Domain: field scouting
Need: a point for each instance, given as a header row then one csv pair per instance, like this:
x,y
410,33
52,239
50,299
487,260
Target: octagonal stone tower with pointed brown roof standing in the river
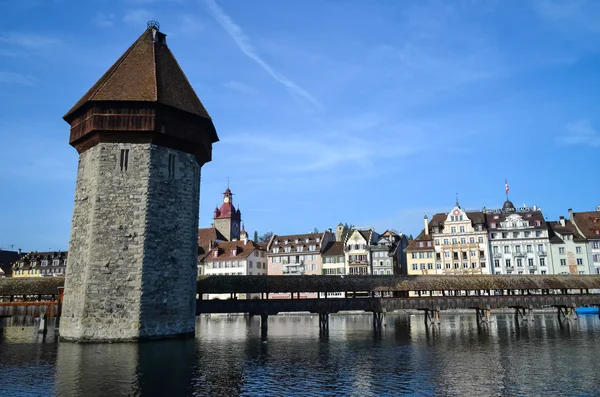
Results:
x,y
142,136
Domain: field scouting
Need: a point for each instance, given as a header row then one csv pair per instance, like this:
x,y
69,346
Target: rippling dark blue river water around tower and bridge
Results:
x,y
228,358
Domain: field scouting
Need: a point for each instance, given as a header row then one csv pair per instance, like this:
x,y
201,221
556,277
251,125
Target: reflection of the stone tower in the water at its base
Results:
x,y
161,368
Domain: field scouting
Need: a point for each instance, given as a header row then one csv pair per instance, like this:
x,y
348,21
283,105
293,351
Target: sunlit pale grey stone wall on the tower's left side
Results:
x,y
104,275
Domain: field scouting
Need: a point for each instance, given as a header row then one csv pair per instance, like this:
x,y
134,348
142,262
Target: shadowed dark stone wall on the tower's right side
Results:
x,y
171,249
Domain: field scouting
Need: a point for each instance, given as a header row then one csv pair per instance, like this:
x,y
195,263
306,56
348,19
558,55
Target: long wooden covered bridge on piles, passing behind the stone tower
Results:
x,y
375,294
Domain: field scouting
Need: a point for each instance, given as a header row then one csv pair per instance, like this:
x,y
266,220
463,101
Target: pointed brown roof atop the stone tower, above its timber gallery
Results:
x,y
146,72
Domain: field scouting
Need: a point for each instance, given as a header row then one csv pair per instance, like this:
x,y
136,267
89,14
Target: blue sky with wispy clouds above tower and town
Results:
x,y
374,113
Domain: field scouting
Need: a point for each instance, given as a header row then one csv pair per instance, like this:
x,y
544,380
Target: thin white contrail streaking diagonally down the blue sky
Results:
x,y
244,43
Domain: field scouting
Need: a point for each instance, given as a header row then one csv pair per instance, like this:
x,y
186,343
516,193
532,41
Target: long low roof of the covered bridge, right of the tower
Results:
x,y
255,284
